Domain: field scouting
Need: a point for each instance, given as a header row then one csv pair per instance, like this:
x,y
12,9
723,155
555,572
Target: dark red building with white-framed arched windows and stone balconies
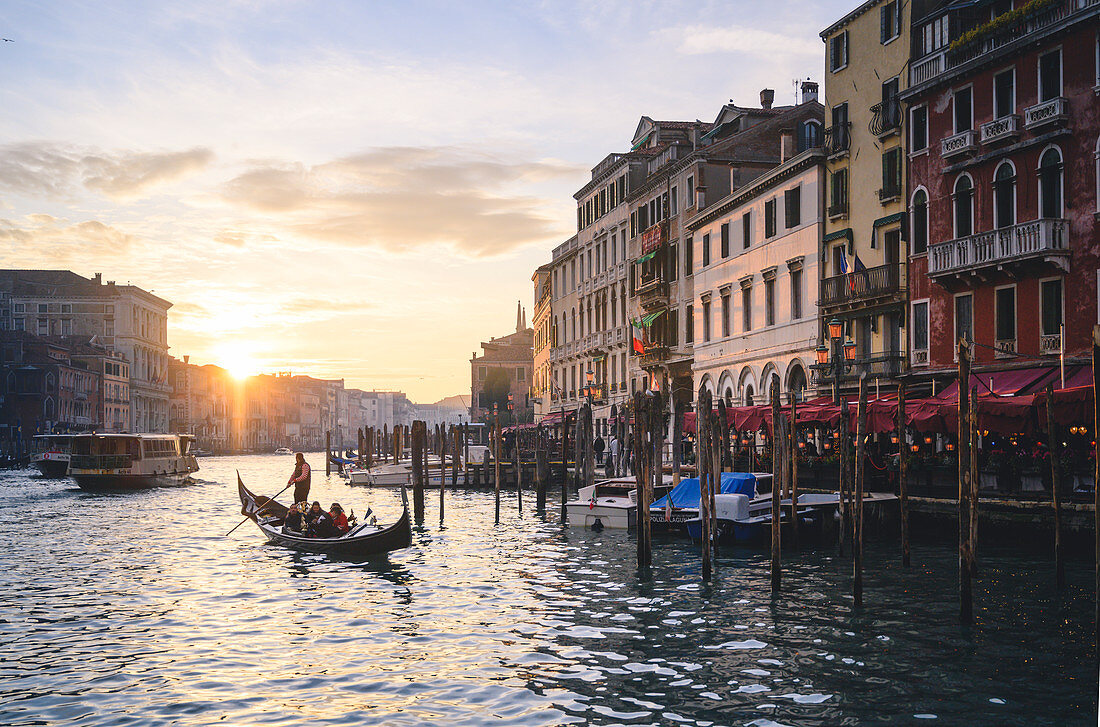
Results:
x,y
1005,183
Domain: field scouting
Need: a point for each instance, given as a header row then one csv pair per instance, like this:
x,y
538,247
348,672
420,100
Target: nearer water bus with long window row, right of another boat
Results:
x,y
131,461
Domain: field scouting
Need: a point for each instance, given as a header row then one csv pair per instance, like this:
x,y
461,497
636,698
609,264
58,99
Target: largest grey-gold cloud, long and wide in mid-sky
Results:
x,y
402,199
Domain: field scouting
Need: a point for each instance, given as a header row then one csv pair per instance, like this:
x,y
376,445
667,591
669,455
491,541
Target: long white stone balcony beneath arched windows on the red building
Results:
x,y
1047,239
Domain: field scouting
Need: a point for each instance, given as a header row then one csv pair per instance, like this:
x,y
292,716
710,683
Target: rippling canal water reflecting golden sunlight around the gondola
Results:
x,y
137,610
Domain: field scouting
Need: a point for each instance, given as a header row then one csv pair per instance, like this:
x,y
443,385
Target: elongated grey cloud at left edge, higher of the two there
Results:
x,y
58,172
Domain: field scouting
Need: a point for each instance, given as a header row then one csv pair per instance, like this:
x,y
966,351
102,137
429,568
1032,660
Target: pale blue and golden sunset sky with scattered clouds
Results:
x,y
355,191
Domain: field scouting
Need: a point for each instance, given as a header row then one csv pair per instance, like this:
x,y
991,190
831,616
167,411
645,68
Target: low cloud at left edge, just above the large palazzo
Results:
x,y
56,237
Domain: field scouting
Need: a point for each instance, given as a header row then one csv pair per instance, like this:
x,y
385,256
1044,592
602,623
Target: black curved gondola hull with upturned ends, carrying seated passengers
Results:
x,y
365,539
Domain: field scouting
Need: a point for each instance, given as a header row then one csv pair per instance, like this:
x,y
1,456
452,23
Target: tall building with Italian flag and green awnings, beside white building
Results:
x,y
691,167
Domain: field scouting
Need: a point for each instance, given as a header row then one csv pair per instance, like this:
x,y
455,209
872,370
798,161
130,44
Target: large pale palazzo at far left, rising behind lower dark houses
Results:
x,y
124,318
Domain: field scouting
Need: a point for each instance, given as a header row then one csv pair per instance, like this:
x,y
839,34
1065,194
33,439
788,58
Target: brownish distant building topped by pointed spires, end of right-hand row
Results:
x,y
503,369
